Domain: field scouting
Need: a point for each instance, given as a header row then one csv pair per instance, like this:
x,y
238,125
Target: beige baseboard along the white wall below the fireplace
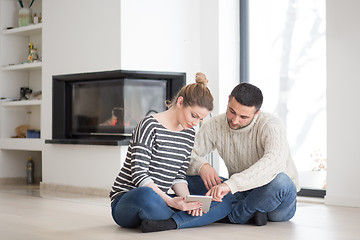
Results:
x,y
50,187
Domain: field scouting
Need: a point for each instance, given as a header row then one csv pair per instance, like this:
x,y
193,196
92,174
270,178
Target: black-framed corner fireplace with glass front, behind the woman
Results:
x,y
104,107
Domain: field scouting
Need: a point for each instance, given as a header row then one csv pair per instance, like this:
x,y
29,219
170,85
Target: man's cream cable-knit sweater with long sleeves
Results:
x,y
253,155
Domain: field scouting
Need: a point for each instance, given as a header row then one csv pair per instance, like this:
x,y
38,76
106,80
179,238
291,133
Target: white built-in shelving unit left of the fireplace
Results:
x,y
15,73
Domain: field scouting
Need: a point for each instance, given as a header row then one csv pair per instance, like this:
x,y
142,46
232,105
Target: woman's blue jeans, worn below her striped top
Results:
x,y
129,209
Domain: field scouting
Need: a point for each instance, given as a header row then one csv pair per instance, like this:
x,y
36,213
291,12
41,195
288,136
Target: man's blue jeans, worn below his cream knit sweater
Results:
x,y
277,199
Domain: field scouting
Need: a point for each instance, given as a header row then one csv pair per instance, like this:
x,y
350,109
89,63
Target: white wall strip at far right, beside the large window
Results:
x,y
343,86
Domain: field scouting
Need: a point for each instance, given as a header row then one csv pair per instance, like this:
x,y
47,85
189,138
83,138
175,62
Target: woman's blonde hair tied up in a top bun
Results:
x,y
195,94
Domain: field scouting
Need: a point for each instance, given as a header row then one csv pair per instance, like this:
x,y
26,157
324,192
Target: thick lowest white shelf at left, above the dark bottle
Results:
x,y
26,144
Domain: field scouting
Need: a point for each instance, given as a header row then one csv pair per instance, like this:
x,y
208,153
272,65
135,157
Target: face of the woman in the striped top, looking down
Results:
x,y
190,116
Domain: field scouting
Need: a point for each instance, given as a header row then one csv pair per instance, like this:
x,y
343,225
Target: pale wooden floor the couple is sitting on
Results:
x,y
26,215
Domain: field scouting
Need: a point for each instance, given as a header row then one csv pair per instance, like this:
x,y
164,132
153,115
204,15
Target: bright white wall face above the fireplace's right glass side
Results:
x,y
160,35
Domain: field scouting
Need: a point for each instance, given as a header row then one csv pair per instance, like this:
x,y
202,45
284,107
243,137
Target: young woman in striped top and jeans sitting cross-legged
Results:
x,y
157,159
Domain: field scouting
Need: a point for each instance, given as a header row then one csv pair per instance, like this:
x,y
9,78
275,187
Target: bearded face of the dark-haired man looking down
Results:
x,y
239,115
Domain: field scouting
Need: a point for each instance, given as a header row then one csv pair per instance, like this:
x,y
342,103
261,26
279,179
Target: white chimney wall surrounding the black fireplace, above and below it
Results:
x,y
93,35
